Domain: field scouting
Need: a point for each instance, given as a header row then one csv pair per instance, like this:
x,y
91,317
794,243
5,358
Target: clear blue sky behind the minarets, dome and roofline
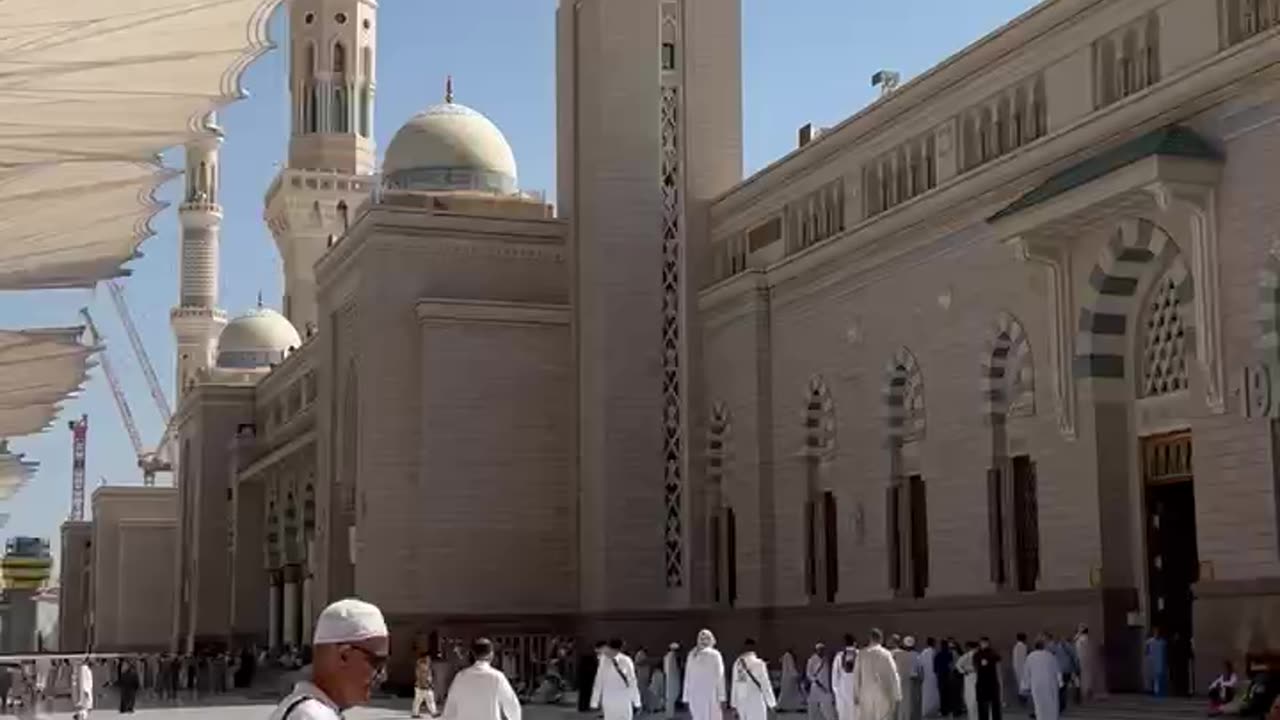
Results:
x,y
804,61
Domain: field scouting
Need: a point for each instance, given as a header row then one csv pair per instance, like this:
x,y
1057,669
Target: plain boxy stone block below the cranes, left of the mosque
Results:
x,y
131,580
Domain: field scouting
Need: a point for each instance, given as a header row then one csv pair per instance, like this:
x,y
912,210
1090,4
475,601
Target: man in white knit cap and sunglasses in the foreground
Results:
x,y
349,657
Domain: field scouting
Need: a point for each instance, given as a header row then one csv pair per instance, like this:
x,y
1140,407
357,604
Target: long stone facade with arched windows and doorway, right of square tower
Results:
x,y
1012,291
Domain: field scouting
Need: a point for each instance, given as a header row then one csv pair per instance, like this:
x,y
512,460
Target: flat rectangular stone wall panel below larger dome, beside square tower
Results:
x,y
493,508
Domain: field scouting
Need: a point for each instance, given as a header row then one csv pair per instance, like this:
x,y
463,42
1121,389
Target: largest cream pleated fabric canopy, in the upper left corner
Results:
x,y
92,92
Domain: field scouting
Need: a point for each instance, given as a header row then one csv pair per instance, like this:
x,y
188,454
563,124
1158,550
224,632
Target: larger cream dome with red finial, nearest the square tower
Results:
x,y
450,148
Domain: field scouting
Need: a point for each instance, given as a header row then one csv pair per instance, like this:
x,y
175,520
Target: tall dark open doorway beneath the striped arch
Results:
x,y
1173,560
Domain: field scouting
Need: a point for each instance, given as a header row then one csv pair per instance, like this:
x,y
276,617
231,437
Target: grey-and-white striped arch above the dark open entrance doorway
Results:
x,y
1137,248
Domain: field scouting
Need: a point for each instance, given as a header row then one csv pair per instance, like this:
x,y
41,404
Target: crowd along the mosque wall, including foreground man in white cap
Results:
x,y
883,678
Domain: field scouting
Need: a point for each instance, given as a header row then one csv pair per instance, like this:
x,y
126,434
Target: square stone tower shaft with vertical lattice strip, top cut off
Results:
x,y
664,76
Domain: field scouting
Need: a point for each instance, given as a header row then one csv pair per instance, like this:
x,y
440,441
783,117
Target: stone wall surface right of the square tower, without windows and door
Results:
x,y
932,276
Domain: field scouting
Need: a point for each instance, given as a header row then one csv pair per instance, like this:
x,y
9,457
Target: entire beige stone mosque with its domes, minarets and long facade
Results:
x,y
995,354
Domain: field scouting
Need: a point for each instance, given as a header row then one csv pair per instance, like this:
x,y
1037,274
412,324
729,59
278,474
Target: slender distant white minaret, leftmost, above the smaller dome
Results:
x,y
198,321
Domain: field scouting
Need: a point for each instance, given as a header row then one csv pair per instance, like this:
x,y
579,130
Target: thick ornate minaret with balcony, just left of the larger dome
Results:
x,y
330,174
